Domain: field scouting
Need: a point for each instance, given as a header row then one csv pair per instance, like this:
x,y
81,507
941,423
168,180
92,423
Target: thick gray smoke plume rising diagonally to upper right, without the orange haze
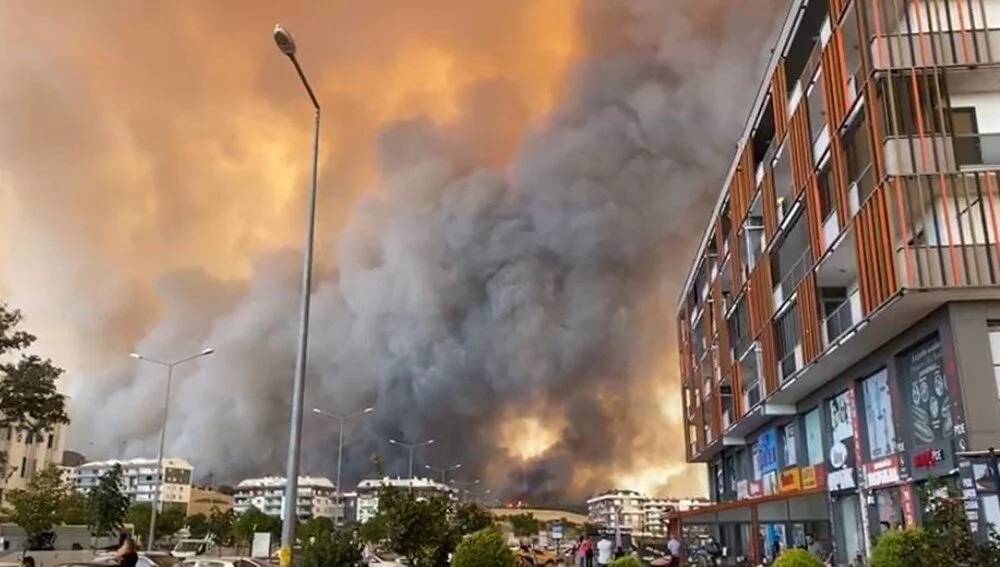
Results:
x,y
466,299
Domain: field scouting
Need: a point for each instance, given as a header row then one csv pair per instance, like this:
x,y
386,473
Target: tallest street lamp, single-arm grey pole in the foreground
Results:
x,y
287,46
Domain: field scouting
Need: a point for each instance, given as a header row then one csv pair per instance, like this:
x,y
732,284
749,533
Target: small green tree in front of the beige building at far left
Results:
x,y
38,508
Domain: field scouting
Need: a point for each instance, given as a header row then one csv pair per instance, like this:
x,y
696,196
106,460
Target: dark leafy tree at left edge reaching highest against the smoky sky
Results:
x,y
29,399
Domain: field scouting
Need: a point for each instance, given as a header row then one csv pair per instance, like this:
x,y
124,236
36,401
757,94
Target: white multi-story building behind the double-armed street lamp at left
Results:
x,y
139,479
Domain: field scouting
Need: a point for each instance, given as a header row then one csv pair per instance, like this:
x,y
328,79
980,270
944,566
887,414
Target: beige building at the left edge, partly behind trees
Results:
x,y
26,454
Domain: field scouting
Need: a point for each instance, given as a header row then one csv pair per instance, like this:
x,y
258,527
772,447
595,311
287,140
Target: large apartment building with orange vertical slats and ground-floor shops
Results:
x,y
840,327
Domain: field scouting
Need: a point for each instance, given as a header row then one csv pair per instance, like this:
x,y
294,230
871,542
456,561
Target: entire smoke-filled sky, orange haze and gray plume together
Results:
x,y
507,291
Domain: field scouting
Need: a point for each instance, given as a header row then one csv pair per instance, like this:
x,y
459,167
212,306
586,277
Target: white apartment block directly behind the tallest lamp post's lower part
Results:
x,y
315,497
